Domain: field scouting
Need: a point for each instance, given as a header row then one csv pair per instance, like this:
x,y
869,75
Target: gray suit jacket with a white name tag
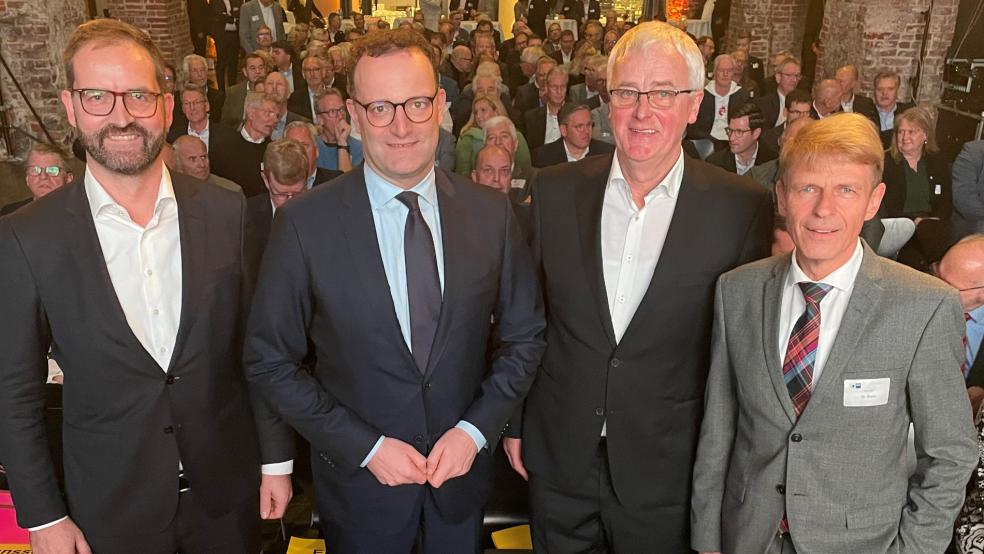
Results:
x,y
839,472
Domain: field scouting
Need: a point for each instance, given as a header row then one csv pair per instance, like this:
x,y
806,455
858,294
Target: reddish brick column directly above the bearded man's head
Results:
x,y
165,20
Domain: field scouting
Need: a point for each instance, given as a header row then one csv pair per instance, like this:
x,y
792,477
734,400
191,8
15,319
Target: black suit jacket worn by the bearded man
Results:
x,y
126,422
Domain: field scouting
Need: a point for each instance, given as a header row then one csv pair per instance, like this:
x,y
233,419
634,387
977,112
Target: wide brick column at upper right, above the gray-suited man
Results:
x,y
879,35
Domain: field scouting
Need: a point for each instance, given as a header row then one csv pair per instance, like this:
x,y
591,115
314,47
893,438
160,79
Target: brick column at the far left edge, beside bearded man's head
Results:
x,y
32,35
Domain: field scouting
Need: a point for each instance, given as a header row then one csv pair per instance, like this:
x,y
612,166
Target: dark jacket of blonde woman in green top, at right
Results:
x,y
940,189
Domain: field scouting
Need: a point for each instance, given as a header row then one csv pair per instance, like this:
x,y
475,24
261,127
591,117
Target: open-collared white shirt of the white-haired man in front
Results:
x,y
631,241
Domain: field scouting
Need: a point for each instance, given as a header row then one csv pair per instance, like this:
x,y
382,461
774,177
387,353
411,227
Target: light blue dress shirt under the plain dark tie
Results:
x,y
389,216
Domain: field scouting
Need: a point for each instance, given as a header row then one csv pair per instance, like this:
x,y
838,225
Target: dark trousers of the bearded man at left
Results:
x,y
191,531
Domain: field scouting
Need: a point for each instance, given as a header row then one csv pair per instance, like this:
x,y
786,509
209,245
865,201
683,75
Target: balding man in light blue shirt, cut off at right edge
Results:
x,y
962,267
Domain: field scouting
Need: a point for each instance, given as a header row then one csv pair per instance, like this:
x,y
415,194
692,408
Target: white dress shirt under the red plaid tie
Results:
x,y
832,306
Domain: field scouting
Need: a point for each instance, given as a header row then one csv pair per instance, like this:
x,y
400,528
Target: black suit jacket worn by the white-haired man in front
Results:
x,y
650,385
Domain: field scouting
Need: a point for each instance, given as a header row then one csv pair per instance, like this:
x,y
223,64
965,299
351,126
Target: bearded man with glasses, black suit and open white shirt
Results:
x,y
154,397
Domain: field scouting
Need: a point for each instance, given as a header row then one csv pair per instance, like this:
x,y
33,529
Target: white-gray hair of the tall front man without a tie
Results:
x,y
655,35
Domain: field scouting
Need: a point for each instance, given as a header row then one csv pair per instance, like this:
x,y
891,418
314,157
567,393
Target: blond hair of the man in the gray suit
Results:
x,y
843,137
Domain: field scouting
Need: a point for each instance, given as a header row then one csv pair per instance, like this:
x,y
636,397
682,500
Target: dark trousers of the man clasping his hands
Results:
x,y
426,533
